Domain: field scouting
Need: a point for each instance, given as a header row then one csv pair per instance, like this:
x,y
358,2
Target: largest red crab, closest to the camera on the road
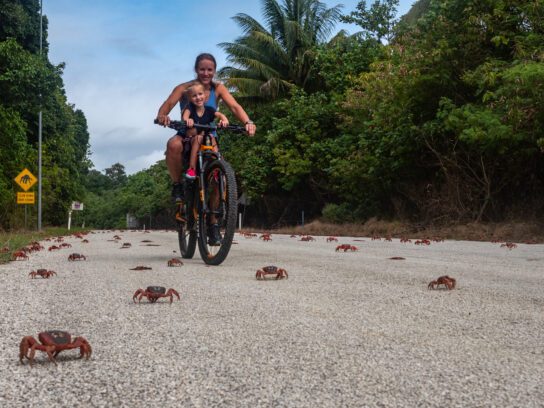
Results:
x,y
52,342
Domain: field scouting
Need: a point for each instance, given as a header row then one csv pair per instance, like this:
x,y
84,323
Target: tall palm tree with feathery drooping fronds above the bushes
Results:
x,y
267,62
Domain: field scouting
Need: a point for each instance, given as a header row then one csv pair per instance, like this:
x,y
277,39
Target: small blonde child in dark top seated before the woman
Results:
x,y
197,113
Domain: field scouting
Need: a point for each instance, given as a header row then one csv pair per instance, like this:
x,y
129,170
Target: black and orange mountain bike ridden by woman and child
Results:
x,y
215,203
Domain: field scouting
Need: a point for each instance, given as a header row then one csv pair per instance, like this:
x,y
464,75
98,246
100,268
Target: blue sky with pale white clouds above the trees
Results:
x,y
124,57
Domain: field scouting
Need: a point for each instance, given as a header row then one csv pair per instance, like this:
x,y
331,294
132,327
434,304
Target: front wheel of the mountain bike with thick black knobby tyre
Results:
x,y
220,195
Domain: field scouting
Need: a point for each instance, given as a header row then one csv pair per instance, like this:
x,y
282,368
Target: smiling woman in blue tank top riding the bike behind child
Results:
x,y
205,68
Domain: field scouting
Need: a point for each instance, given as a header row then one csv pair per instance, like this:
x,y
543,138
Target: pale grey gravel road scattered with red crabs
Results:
x,y
352,329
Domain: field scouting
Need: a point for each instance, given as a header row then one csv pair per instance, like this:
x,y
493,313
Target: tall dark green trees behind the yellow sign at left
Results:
x,y
30,84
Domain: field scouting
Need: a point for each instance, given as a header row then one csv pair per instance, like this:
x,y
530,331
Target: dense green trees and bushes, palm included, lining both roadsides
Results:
x,y
436,117
